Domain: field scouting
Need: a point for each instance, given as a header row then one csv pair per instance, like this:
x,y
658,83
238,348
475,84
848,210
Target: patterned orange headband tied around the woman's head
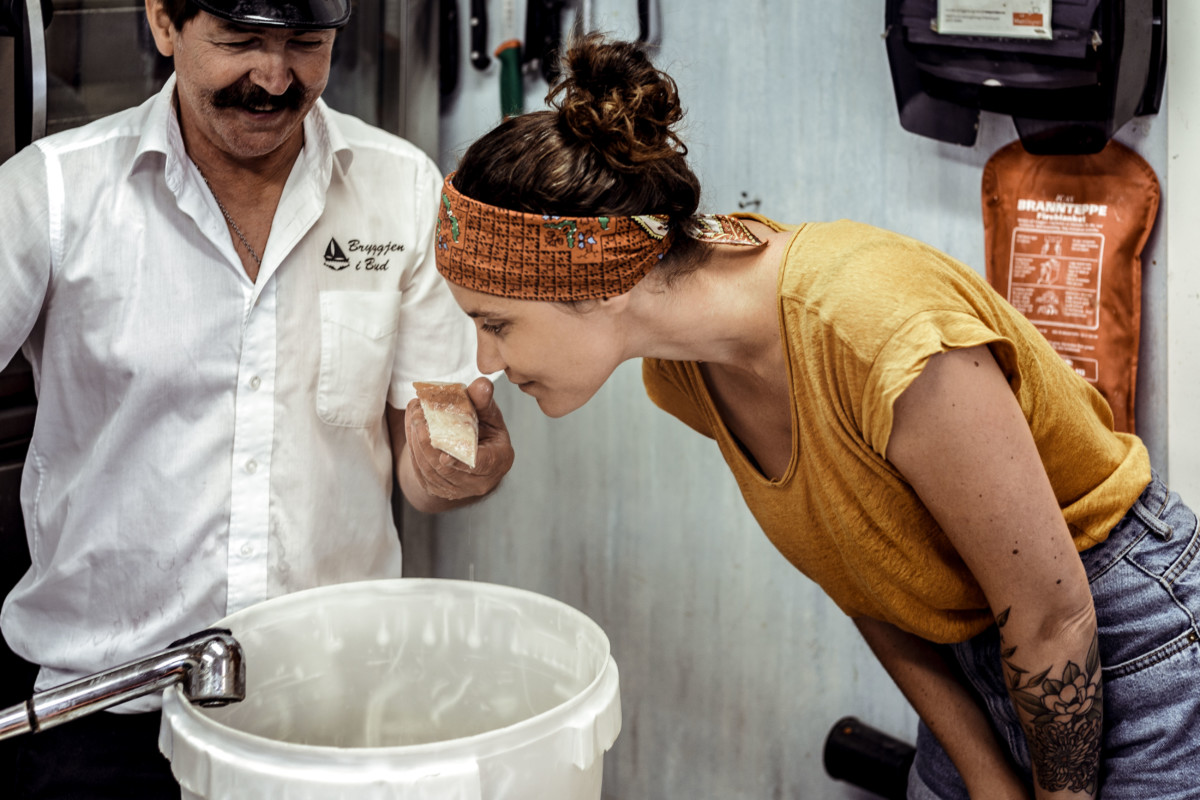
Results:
x,y
544,257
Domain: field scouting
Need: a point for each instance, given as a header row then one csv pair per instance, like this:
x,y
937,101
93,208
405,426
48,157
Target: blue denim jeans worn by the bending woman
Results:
x,y
1145,584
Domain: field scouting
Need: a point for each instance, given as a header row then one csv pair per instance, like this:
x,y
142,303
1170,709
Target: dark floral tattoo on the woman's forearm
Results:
x,y
1063,718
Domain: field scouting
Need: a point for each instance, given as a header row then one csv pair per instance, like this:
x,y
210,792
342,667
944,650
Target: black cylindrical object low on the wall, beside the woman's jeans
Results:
x,y
868,759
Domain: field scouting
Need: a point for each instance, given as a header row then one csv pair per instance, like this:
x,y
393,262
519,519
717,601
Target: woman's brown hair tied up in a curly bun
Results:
x,y
607,147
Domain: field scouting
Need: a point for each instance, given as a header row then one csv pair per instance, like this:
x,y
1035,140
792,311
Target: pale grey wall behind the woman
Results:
x,y
734,666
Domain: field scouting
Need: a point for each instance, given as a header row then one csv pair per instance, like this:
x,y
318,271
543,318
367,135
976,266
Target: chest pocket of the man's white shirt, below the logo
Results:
x,y
358,346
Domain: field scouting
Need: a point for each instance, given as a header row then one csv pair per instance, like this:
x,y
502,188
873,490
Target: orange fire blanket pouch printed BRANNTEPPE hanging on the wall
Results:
x,y
1064,238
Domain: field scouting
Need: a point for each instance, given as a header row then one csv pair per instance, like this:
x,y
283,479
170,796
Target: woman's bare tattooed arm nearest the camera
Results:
x,y
962,442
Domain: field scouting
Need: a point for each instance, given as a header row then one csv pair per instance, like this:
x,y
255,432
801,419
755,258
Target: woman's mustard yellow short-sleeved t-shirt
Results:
x,y
861,311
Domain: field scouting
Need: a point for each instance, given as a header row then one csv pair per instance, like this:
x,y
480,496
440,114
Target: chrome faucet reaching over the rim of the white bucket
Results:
x,y
207,665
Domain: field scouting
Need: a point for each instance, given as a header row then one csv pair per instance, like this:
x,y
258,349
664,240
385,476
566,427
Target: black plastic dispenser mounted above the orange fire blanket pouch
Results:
x,y
1106,65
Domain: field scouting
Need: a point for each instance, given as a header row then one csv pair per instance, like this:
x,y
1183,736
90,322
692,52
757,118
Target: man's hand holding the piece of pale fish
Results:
x,y
436,482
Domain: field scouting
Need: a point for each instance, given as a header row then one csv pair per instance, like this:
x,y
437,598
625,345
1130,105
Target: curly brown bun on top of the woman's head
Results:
x,y
614,99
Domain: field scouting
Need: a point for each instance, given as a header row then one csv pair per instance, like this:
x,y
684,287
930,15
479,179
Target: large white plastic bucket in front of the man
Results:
x,y
405,690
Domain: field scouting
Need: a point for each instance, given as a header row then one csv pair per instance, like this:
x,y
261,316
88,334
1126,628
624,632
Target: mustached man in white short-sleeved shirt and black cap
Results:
x,y
226,294
